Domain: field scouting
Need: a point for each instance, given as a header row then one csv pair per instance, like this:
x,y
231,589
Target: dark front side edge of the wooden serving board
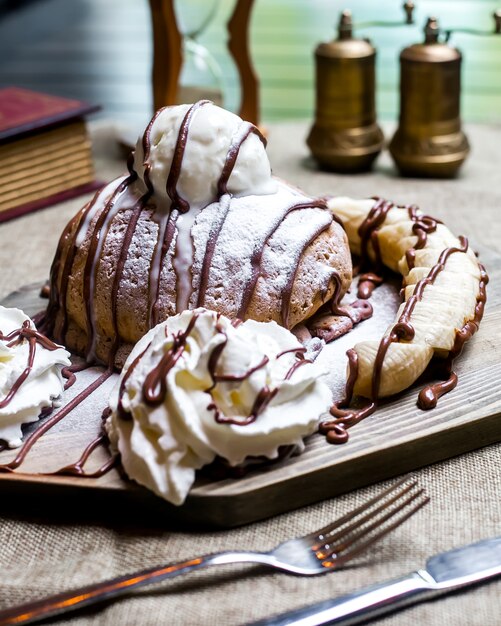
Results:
x,y
229,511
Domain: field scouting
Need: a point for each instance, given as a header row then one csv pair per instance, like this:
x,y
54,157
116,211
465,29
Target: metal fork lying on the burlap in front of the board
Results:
x,y
321,551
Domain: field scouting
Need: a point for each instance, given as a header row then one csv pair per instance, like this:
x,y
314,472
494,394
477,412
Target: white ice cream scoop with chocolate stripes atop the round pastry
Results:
x,y
211,133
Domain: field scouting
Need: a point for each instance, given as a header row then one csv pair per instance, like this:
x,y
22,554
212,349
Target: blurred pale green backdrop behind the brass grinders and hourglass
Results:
x,y
285,33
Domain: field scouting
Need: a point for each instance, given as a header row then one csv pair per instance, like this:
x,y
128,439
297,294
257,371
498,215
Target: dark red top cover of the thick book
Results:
x,y
23,112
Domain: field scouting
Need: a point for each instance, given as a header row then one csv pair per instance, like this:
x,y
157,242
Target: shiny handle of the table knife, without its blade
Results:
x,y
360,605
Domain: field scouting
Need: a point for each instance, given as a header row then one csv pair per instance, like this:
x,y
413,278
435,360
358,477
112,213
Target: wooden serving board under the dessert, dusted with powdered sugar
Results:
x,y
398,438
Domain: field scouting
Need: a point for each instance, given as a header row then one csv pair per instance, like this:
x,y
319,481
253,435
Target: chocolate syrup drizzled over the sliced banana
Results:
x,y
344,416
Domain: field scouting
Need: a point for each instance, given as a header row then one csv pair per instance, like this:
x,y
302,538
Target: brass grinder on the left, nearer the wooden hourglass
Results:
x,y
345,136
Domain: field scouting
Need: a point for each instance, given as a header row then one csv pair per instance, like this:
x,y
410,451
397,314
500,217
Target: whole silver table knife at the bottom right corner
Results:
x,y
443,573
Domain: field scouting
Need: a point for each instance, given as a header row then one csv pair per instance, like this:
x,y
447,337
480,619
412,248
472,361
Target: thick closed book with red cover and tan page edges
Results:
x,y
45,151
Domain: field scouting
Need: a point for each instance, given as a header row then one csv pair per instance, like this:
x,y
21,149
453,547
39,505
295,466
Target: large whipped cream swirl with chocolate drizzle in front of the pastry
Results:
x,y
197,386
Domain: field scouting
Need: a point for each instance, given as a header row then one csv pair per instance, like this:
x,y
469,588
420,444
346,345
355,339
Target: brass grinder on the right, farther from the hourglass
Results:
x,y
429,140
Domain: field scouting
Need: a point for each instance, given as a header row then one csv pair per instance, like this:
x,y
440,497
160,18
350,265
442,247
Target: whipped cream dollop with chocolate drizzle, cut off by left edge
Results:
x,y
30,373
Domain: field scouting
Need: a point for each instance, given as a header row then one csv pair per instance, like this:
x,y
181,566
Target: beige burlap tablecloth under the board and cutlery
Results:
x,y
44,552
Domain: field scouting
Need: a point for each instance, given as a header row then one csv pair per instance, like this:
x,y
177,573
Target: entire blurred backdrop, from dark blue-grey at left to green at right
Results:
x,y
101,51
